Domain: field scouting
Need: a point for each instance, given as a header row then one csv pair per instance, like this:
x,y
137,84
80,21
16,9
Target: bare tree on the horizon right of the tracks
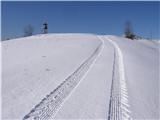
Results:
x,y
129,30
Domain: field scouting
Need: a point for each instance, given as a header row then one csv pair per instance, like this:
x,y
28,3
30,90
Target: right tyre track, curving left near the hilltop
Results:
x,y
119,108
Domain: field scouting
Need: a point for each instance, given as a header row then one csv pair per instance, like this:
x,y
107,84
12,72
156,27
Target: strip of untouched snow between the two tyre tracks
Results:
x,y
91,97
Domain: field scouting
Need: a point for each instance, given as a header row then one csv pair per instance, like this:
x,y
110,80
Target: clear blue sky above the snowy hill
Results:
x,y
86,17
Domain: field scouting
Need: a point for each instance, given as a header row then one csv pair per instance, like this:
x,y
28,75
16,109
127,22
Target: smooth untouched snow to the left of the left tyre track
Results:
x,y
34,66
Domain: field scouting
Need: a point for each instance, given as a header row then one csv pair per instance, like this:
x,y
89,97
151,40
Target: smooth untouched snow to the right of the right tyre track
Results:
x,y
141,63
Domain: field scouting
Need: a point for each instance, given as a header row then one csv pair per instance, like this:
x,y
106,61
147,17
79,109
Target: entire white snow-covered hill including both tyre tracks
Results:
x,y
80,76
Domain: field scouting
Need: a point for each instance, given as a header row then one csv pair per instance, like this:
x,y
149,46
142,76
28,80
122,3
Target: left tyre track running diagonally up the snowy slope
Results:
x,y
50,105
